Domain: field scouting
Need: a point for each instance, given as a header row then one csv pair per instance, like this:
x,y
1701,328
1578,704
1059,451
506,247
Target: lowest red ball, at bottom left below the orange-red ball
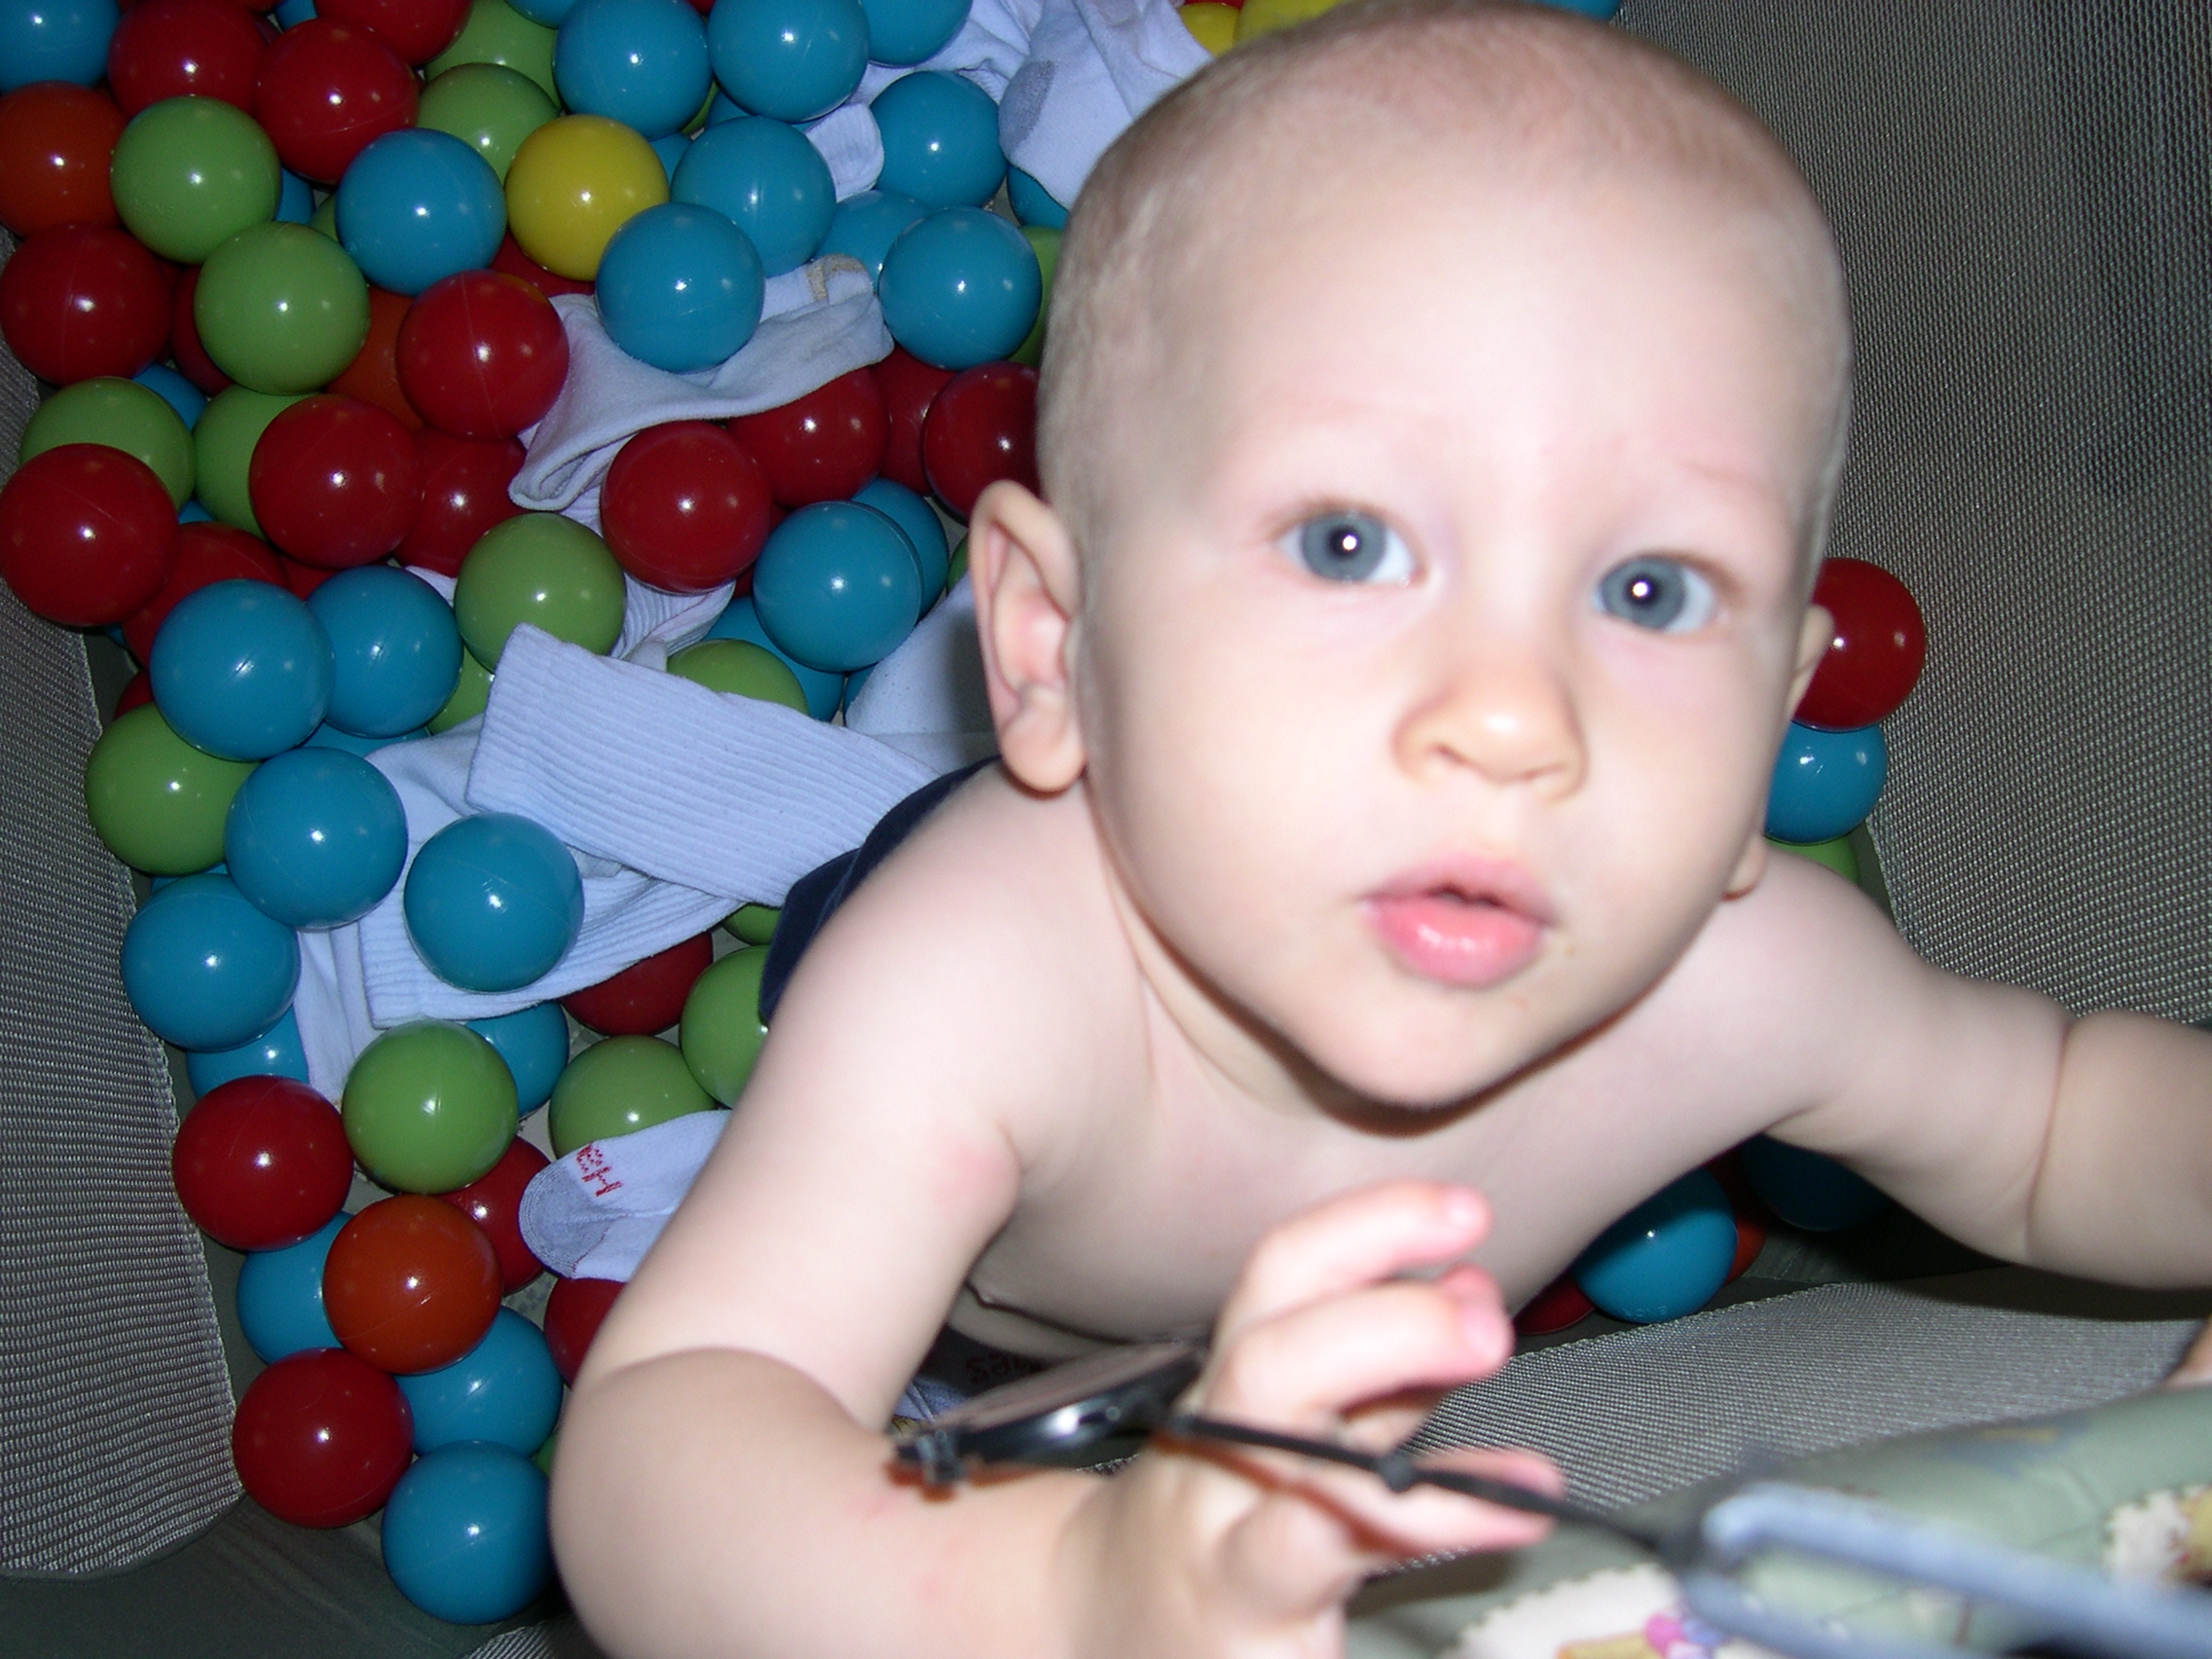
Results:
x,y
322,1439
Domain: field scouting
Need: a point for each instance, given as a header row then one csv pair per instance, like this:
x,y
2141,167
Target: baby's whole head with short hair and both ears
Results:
x,y
1441,413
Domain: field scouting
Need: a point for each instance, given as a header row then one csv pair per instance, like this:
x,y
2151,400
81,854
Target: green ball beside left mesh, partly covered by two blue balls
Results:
x,y
156,800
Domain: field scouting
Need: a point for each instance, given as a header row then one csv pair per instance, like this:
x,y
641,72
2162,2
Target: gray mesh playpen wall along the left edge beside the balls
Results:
x,y
116,1408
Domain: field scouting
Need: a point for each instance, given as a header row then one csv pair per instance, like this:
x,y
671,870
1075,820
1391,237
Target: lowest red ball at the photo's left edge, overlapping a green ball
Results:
x,y
85,534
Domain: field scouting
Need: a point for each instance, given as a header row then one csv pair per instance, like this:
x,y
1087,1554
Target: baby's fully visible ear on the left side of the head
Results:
x,y
1027,592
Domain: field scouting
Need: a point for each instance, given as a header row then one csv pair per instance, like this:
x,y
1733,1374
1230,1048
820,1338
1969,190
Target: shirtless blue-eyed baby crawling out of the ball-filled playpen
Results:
x,y
1441,415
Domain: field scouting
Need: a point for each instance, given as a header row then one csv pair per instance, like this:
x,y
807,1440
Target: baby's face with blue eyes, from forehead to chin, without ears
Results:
x,y
1448,612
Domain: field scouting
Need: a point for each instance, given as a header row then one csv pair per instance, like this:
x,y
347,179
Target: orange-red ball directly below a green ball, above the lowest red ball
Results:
x,y
410,1284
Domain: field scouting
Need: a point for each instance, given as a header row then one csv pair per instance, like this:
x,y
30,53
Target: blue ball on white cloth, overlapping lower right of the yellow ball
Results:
x,y
680,289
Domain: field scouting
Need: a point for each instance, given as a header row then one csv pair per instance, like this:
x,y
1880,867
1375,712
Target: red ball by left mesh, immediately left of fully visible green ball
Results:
x,y
262,1162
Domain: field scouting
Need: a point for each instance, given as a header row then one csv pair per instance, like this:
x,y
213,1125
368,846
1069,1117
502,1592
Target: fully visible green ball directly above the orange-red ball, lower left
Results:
x,y
428,1107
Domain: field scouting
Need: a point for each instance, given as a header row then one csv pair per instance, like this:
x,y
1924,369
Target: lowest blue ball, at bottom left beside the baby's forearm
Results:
x,y
466,1534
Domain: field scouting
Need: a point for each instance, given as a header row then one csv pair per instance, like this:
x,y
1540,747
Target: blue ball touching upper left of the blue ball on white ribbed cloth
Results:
x,y
315,837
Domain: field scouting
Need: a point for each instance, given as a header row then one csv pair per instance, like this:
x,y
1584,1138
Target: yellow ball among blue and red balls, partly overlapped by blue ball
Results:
x,y
574,185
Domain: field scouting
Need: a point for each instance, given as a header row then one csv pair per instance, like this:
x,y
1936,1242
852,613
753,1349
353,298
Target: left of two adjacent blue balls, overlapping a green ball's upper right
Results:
x,y
242,669
